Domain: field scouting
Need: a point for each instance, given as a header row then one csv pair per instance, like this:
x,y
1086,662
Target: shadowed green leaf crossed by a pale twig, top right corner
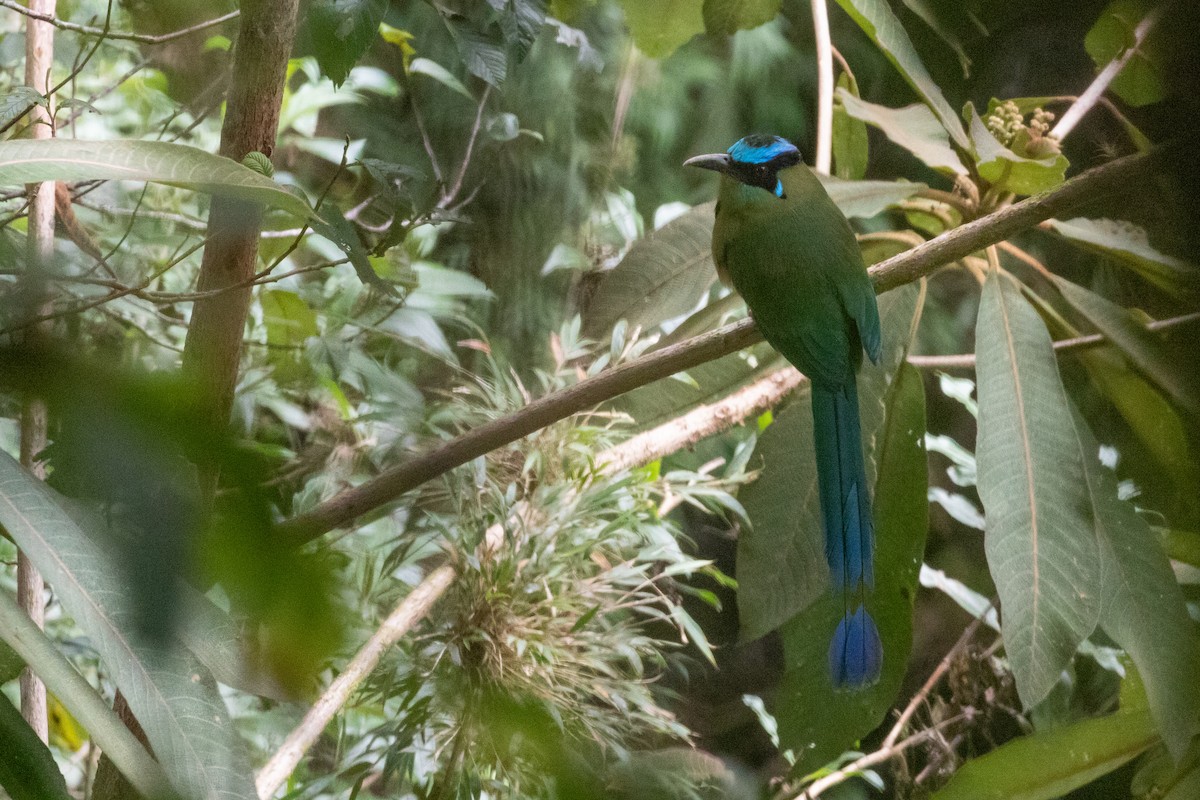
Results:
x,y
1141,82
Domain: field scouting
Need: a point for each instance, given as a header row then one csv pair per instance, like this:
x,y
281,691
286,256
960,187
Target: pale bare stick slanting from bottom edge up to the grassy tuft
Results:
x,y
411,610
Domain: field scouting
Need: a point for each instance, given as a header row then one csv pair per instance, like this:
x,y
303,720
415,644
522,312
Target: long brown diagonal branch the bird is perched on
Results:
x,y
343,509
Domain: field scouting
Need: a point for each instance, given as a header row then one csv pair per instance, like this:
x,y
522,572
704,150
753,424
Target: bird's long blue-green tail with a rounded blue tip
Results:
x,y
856,654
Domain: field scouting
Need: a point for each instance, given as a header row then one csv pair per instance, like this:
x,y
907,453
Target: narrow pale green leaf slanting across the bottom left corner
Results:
x,y
81,700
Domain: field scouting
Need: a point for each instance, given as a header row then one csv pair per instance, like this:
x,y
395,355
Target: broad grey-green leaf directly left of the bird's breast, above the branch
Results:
x,y
663,276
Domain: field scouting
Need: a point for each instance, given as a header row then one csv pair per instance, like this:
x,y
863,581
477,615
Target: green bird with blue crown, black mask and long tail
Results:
x,y
791,255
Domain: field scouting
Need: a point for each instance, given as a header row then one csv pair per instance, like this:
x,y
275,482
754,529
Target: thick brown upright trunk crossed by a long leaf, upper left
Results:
x,y
213,351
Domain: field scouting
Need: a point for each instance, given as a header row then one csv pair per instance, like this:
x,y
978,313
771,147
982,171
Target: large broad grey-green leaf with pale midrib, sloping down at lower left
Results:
x,y
173,696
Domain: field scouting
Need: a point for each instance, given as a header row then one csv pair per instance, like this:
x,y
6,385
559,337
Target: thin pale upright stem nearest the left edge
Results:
x,y
31,588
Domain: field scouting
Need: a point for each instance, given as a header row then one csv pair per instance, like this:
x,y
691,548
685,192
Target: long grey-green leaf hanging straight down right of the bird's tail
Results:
x,y
1040,537
